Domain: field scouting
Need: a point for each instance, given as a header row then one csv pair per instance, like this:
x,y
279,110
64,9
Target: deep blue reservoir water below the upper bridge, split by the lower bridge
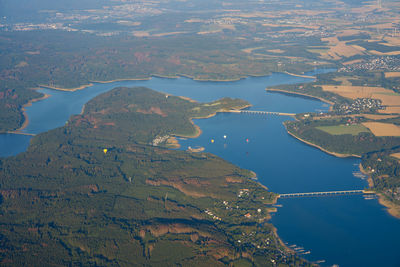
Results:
x,y
343,230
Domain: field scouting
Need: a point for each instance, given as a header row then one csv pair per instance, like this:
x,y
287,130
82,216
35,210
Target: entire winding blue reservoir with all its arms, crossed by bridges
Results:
x,y
344,230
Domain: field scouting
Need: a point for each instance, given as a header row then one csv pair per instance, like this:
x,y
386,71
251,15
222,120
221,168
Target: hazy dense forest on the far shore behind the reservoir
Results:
x,y
63,59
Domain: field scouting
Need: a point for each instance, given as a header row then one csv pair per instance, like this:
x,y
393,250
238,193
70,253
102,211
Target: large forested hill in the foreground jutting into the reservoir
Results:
x,y
69,201
